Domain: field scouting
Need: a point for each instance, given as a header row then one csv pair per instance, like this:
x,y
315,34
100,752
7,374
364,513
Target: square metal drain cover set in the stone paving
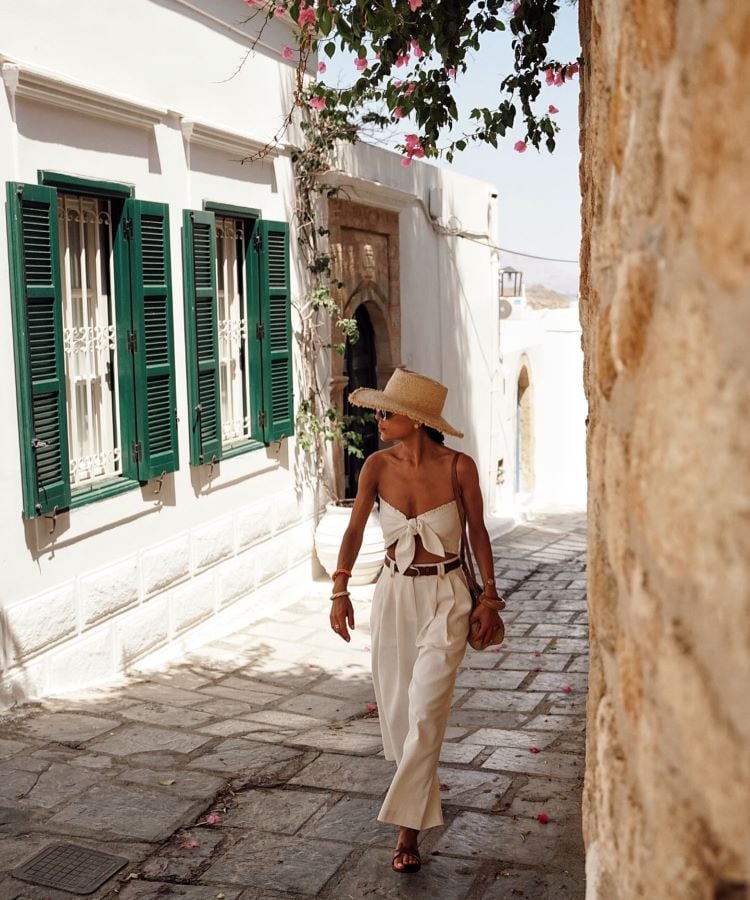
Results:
x,y
70,868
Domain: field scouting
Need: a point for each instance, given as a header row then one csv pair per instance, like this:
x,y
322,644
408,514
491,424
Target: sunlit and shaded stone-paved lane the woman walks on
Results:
x,y
273,731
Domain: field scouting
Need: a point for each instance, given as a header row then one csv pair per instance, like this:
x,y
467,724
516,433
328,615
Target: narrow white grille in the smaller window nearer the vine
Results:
x,y
232,328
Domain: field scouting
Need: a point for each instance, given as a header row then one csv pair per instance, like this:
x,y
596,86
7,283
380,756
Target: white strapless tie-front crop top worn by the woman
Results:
x,y
439,530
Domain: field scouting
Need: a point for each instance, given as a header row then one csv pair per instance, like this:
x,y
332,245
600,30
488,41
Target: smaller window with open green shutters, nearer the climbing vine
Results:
x,y
238,331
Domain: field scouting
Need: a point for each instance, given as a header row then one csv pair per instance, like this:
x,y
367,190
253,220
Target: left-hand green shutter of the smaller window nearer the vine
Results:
x,y
201,334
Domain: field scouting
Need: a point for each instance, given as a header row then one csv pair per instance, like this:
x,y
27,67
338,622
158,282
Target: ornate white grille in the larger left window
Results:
x,y
87,276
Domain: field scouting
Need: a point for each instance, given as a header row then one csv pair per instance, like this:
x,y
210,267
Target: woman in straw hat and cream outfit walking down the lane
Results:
x,y
421,607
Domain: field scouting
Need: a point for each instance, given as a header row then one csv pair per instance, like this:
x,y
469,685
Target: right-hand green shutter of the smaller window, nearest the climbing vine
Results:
x,y
275,311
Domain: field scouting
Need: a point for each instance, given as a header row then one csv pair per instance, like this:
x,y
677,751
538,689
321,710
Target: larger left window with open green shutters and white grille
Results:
x,y
91,290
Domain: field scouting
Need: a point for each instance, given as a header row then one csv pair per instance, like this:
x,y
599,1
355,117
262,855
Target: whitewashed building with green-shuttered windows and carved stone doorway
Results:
x,y
150,479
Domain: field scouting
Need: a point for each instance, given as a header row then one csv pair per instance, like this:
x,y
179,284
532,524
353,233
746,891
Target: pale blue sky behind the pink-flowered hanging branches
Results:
x,y
539,201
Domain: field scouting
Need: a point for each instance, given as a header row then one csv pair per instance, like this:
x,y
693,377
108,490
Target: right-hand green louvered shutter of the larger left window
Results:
x,y
151,293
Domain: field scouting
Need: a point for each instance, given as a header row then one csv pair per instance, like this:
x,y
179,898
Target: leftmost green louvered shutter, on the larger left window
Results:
x,y
40,364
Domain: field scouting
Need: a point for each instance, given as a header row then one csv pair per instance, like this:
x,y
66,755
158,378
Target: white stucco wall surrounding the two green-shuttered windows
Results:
x,y
125,576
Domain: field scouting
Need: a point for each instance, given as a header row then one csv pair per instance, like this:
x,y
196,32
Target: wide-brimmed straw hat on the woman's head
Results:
x,y
409,394
